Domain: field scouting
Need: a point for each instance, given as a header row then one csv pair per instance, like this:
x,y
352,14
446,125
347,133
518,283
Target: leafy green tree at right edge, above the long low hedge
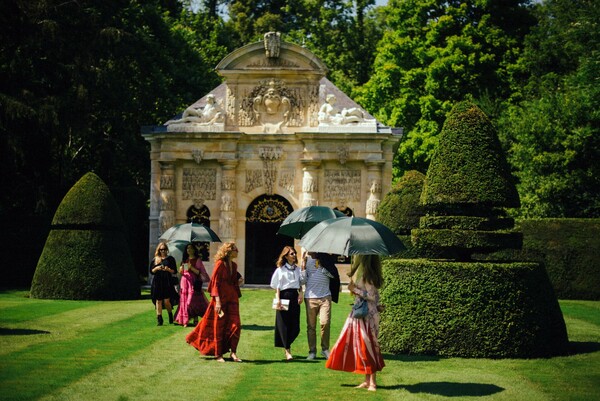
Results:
x,y
552,127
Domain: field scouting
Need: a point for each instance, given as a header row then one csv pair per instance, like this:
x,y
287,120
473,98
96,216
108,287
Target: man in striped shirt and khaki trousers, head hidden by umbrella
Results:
x,y
322,286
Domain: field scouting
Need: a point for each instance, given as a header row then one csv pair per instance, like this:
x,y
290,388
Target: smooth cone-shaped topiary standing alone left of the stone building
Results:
x,y
86,255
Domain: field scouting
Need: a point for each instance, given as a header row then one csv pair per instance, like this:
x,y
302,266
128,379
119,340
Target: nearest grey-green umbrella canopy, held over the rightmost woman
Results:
x,y
352,236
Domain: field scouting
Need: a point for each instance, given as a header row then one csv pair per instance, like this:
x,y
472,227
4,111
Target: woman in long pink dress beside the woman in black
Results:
x,y
192,301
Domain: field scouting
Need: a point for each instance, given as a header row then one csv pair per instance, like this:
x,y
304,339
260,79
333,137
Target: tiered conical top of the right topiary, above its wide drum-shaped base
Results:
x,y
468,184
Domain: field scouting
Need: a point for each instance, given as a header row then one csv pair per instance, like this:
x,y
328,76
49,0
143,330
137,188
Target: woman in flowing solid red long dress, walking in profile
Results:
x,y
219,330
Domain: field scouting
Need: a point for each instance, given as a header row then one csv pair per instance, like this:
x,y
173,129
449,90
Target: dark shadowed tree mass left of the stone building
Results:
x,y
78,81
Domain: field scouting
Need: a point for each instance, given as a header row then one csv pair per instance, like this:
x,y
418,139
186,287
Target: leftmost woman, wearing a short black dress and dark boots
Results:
x,y
163,267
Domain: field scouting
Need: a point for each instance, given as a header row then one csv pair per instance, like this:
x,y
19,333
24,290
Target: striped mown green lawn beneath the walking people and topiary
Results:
x,y
85,350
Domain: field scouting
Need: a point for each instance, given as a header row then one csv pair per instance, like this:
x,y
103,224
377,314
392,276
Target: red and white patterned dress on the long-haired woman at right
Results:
x,y
357,348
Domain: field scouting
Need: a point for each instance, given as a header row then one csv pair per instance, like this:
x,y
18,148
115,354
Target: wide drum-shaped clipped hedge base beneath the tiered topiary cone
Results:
x,y
492,310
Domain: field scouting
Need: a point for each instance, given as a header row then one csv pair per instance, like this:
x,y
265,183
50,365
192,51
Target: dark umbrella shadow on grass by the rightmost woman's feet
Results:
x,y
446,389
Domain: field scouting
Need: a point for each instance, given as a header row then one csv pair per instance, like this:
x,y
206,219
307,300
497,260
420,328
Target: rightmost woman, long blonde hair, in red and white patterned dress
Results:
x,y
357,348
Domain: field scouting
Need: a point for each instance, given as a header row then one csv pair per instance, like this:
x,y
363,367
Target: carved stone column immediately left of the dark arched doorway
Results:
x,y
227,220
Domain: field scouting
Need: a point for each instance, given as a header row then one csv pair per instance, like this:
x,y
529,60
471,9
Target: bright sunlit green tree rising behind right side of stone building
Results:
x,y
437,52
